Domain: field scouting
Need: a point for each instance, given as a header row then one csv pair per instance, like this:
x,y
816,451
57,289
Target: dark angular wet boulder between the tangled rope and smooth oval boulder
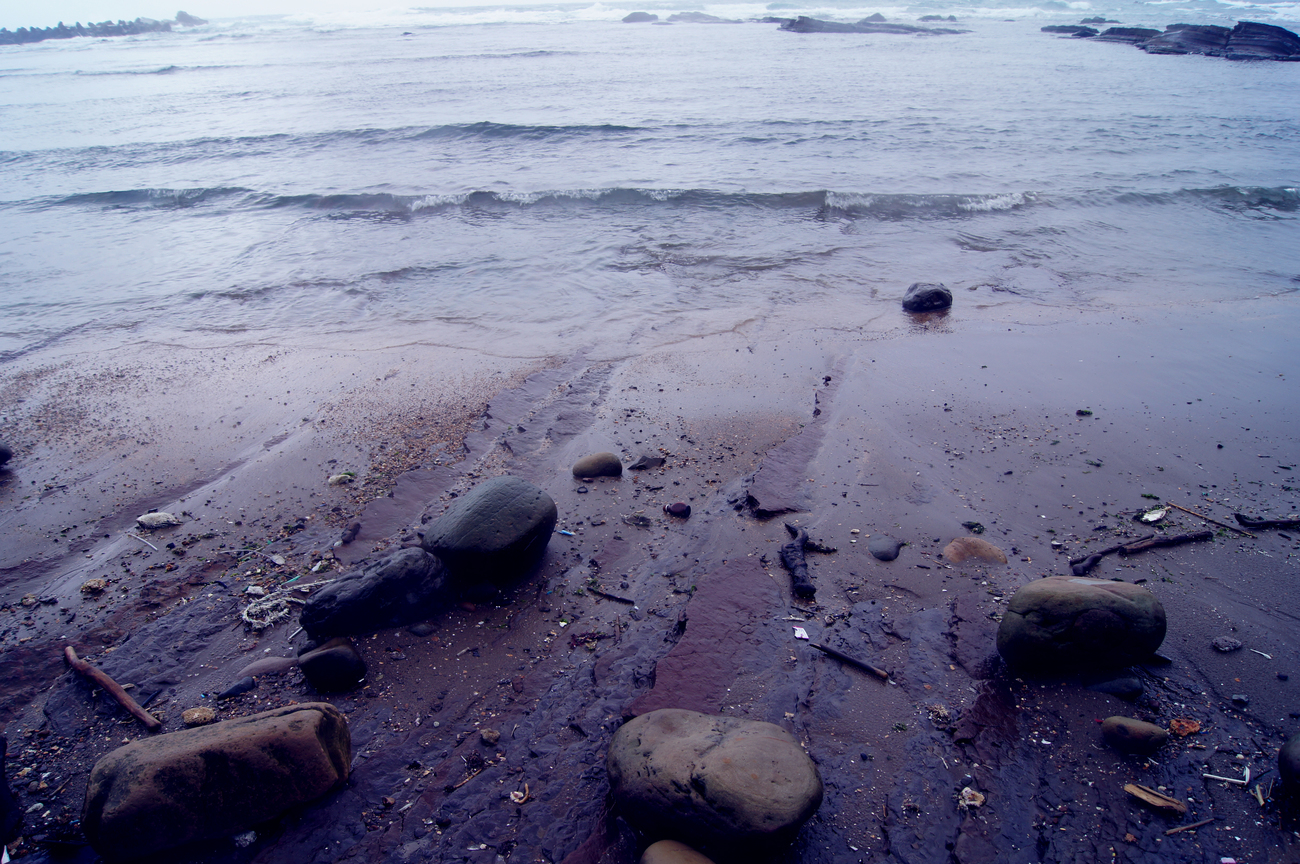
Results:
x,y
404,588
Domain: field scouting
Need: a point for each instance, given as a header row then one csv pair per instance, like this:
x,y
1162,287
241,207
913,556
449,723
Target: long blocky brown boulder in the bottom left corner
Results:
x,y
214,781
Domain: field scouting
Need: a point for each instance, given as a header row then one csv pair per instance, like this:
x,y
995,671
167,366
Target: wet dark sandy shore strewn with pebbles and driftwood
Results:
x,y
947,422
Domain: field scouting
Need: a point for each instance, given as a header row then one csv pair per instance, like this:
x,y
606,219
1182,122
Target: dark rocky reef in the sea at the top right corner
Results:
x,y
1247,41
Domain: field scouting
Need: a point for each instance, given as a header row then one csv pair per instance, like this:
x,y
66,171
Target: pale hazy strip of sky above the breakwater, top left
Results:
x,y
45,14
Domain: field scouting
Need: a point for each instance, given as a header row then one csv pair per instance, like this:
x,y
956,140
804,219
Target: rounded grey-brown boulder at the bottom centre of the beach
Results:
x,y
718,784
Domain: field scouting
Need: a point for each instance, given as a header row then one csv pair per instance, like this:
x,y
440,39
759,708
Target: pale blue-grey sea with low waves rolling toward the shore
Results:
x,y
547,180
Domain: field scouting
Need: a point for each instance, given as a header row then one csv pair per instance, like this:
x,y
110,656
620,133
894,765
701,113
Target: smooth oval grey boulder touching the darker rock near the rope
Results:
x,y
495,535
